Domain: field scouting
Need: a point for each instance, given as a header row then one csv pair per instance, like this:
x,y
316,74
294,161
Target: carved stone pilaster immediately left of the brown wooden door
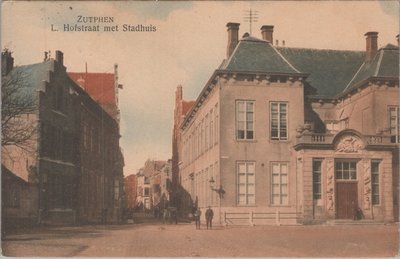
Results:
x,y
330,188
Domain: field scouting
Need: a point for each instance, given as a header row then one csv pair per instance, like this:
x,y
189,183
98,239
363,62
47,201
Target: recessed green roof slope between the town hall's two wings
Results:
x,y
330,70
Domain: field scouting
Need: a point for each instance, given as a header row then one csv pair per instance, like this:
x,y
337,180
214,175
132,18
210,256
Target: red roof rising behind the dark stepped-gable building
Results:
x,y
100,86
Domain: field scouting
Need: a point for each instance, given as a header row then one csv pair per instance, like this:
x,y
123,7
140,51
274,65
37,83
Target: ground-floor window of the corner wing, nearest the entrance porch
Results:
x,y
279,183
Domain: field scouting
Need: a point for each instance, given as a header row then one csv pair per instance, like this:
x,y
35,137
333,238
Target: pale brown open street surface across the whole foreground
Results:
x,y
183,240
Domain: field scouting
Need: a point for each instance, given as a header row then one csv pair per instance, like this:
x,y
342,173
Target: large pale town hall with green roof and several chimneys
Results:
x,y
284,135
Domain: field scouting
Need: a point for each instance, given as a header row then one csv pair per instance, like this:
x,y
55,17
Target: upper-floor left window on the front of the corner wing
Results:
x,y
244,119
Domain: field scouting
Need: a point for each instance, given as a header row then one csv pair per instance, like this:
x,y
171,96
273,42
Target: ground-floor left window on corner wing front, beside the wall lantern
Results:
x,y
246,183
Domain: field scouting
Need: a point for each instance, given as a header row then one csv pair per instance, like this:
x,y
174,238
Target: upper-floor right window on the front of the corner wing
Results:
x,y
279,121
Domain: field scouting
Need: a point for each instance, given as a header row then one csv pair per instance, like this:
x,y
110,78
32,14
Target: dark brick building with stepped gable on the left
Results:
x,y
73,133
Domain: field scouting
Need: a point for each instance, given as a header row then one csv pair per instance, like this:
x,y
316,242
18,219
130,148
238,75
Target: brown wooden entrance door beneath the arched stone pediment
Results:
x,y
346,200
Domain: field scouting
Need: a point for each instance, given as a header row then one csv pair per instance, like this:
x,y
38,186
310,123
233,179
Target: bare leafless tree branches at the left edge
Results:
x,y
18,124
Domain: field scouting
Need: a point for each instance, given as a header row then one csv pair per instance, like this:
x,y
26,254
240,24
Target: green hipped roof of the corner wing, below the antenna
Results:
x,y
255,55
